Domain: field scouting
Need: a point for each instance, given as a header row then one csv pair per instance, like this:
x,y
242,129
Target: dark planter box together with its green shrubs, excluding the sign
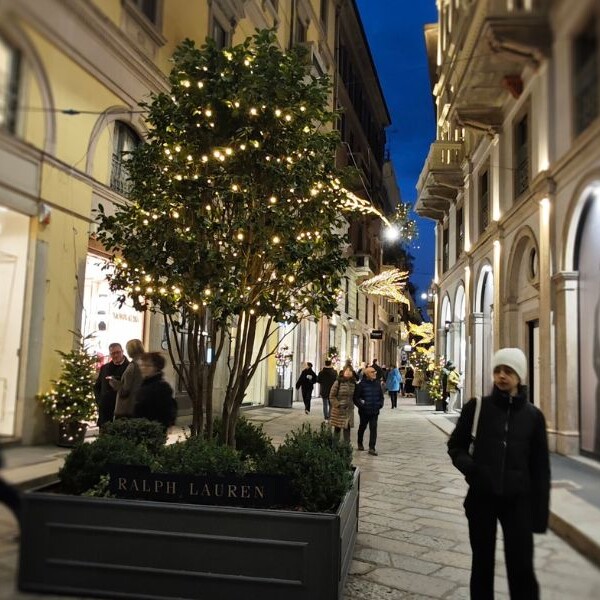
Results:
x,y
122,548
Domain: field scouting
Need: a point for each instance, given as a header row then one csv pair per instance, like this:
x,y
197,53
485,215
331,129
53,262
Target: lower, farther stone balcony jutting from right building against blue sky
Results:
x,y
440,179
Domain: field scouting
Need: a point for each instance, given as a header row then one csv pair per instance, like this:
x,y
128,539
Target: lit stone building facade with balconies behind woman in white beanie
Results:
x,y
512,182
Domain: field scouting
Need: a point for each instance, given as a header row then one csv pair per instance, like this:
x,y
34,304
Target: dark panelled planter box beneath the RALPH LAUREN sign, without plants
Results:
x,y
110,548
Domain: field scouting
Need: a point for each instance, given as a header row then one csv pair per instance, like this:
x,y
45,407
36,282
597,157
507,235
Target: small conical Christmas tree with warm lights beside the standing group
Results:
x,y
72,399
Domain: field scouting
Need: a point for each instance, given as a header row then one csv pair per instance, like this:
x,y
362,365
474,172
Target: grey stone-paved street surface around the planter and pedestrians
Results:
x,y
412,541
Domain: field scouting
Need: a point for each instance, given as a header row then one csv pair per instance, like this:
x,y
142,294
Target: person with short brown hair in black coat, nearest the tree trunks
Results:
x,y
154,400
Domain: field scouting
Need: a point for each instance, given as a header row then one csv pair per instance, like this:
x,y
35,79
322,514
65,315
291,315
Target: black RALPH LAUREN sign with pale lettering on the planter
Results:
x,y
136,482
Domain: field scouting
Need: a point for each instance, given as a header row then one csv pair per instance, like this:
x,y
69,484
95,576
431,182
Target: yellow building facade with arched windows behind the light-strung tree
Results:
x,y
71,75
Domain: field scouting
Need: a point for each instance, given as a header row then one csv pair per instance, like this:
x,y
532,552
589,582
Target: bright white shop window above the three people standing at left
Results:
x,y
102,316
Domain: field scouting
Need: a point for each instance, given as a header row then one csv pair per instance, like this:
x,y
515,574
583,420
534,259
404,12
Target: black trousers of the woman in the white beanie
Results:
x,y
514,514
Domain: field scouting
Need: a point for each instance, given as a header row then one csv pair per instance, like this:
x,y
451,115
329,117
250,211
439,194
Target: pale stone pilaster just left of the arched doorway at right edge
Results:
x,y
567,367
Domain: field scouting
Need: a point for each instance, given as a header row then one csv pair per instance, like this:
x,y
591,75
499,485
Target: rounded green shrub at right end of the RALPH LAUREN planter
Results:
x,y
319,466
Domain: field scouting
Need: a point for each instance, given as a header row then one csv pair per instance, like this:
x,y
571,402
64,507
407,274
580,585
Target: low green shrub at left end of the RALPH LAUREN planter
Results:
x,y
87,463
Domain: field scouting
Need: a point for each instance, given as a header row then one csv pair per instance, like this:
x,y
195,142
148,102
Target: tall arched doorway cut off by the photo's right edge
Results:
x,y
587,250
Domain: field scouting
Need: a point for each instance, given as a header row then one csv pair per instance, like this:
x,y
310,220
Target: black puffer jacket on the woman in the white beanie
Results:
x,y
511,451
